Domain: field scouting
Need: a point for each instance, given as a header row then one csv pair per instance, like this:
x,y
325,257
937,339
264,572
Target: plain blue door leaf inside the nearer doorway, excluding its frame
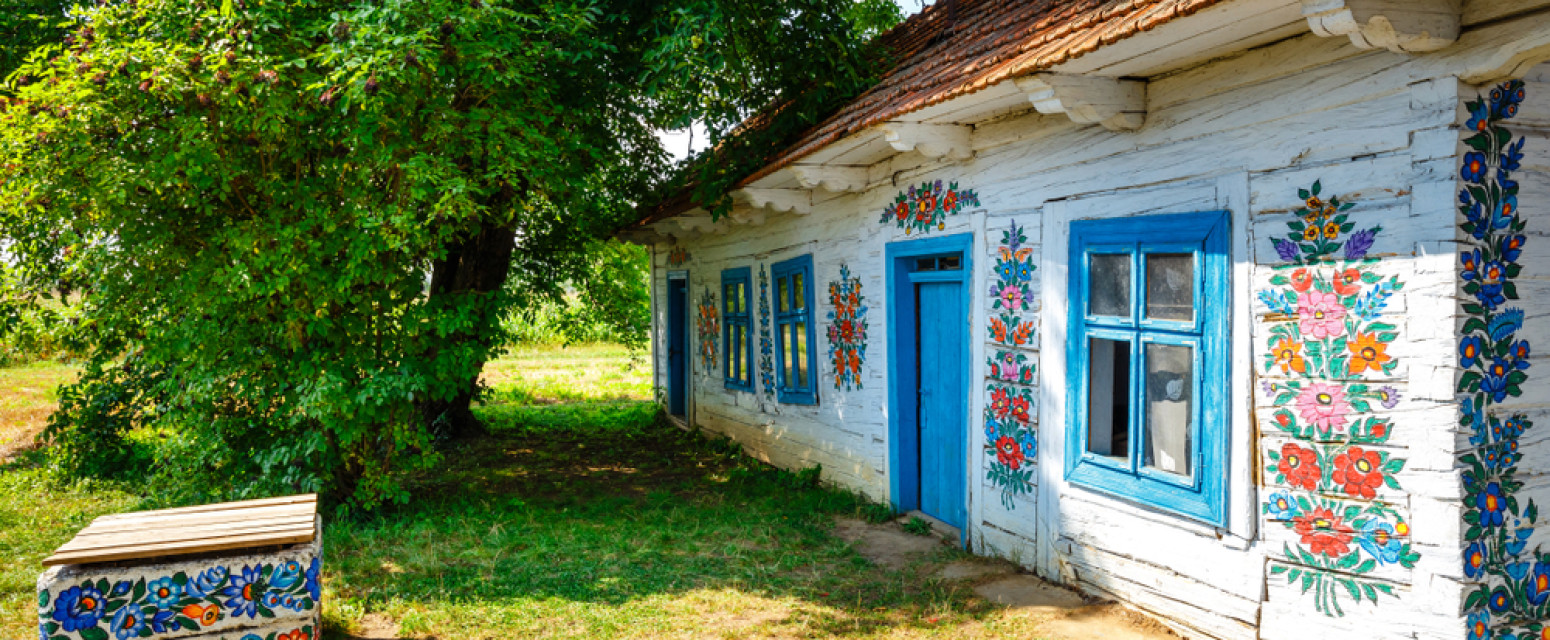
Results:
x,y
943,399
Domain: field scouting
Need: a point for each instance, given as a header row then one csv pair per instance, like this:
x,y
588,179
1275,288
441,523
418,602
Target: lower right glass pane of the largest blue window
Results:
x,y
1171,404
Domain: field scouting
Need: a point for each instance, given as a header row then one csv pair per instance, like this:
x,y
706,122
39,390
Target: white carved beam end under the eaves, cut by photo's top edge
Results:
x,y
1397,26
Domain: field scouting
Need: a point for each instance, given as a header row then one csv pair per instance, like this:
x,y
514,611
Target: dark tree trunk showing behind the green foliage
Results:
x,y
475,267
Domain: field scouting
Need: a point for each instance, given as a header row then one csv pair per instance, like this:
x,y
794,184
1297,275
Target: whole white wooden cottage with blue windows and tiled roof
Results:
x,y
1218,308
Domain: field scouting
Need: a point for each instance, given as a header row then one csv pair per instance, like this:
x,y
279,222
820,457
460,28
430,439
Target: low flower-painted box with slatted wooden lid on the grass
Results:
x,y
236,571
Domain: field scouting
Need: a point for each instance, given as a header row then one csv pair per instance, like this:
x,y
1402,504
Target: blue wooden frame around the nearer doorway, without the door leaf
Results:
x,y
904,483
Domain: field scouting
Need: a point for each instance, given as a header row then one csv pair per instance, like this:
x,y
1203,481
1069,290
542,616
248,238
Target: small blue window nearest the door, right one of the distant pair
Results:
x,y
794,334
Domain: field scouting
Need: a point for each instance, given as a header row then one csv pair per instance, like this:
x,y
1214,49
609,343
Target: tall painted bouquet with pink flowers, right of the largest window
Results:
x,y
1329,332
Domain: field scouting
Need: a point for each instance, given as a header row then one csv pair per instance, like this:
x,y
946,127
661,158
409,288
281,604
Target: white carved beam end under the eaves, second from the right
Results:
x,y
1117,105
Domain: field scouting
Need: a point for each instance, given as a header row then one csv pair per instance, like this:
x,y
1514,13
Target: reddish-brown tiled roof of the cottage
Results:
x,y
959,47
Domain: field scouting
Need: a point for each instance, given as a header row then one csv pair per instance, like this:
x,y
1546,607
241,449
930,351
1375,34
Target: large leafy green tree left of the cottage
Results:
x,y
297,224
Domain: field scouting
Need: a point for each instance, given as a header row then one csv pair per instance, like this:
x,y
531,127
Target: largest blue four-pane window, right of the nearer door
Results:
x,y
1148,360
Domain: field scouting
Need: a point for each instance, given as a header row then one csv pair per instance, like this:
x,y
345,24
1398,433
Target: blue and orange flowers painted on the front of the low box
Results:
x,y
146,608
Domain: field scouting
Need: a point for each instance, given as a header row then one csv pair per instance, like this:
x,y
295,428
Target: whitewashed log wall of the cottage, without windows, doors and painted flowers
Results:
x,y
1242,134
